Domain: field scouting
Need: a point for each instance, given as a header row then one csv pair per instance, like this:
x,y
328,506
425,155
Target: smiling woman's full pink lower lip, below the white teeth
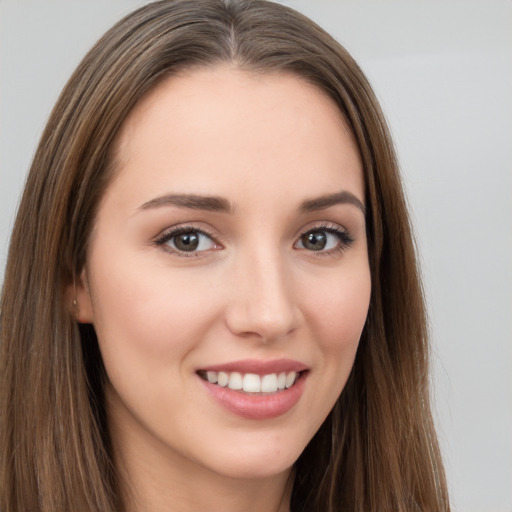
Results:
x,y
257,406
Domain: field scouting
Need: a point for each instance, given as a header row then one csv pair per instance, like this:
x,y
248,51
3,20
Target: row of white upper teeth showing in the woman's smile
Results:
x,y
251,382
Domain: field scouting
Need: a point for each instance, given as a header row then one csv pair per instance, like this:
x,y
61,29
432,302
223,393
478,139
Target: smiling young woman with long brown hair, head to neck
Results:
x,y
215,255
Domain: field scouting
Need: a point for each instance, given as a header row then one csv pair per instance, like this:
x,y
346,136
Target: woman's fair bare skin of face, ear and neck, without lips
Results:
x,y
265,143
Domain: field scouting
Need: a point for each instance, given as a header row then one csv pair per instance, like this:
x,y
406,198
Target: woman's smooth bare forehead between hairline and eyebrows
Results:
x,y
221,127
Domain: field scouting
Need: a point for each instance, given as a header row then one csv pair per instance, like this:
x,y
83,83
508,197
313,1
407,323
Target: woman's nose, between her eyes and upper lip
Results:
x,y
263,303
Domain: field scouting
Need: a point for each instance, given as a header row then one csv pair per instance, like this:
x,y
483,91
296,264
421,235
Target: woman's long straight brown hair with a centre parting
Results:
x,y
377,450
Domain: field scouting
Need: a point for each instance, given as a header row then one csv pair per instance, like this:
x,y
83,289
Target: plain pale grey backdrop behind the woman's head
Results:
x,y
443,73
